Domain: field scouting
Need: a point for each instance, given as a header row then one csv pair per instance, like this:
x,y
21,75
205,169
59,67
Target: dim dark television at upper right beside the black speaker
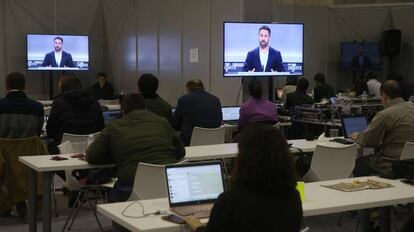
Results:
x,y
360,56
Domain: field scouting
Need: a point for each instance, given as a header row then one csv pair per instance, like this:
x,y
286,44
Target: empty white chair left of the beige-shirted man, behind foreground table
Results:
x,y
329,163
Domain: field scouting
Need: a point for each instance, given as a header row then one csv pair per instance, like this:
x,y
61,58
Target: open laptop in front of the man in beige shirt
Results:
x,y
351,124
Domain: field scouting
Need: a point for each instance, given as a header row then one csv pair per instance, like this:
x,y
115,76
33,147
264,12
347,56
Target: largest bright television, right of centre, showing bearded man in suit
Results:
x,y
263,49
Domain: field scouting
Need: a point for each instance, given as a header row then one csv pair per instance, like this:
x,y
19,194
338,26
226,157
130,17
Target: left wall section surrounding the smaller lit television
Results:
x,y
49,16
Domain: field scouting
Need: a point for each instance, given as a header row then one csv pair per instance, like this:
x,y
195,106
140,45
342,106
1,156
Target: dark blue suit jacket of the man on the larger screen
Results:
x,y
274,61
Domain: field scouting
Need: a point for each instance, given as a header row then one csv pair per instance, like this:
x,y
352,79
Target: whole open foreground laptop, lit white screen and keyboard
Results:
x,y
194,187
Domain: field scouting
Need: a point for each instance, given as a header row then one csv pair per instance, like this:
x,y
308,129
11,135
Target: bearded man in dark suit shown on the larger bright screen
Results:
x,y
264,58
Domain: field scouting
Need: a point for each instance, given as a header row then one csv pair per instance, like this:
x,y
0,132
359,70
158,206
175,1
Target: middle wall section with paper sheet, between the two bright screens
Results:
x,y
158,35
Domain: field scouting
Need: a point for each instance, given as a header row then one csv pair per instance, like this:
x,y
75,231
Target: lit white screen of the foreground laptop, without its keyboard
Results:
x,y
194,183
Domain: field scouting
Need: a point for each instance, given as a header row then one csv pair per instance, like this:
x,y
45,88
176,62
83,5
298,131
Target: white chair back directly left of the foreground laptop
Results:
x,y
149,182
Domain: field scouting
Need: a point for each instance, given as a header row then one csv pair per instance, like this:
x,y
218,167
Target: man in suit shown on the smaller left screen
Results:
x,y
58,57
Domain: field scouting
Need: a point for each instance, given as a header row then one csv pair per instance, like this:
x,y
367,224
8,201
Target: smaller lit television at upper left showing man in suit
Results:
x,y
57,52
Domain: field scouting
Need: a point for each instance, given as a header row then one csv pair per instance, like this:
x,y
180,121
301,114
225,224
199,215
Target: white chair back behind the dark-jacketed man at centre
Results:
x,y
207,136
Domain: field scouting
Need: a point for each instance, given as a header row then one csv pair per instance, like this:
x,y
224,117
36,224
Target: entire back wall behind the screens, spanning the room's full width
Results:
x,y
131,37
